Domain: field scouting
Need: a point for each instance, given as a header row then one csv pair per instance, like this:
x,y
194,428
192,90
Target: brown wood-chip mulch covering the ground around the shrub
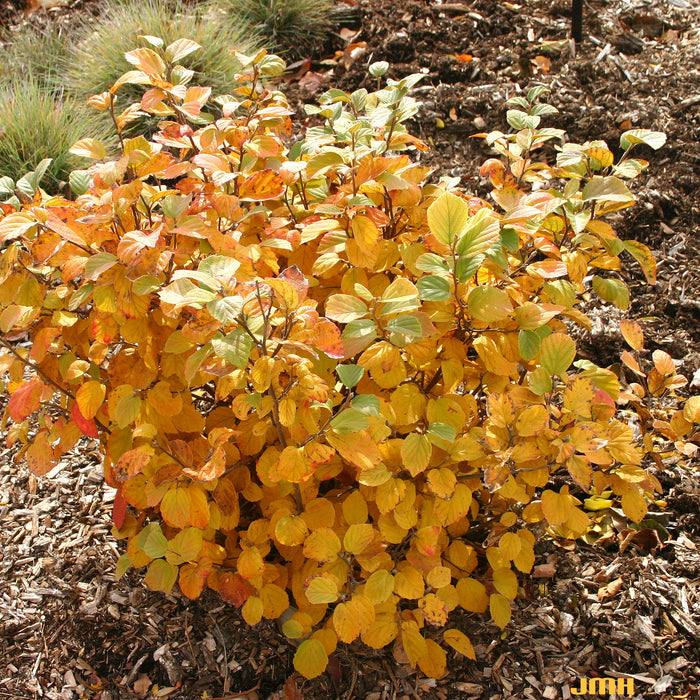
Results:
x,y
628,607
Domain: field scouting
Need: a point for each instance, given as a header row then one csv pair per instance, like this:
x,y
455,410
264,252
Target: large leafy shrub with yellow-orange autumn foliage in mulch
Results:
x,y
322,387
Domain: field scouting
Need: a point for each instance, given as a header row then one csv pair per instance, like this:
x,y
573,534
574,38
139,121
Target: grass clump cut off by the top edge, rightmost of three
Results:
x,y
293,27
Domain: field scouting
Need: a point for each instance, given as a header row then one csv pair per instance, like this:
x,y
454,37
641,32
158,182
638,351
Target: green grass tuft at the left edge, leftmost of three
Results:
x,y
36,124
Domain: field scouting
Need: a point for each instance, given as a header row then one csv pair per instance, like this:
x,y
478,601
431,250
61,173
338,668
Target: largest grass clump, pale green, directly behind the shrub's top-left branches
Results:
x,y
97,60
